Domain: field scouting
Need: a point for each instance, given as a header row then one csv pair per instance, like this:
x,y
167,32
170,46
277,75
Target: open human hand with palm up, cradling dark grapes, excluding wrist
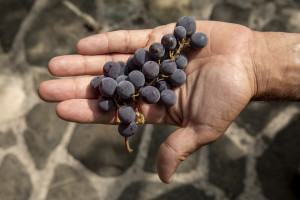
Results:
x,y
220,83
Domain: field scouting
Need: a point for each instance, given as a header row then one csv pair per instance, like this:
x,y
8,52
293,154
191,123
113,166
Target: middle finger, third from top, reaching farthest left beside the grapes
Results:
x,y
64,89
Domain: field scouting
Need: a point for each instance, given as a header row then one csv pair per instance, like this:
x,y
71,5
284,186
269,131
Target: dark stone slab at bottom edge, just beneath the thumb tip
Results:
x,y
160,191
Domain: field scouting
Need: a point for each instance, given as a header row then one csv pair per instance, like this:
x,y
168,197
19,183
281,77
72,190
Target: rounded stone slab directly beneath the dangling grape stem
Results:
x,y
101,149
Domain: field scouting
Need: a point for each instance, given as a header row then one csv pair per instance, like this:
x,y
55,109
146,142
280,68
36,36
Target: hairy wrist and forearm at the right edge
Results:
x,y
276,58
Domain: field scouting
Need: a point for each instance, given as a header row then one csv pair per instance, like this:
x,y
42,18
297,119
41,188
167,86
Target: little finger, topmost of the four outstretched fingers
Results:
x,y
124,41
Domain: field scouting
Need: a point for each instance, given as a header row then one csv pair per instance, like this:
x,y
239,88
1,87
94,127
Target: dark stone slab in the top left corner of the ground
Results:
x,y
12,13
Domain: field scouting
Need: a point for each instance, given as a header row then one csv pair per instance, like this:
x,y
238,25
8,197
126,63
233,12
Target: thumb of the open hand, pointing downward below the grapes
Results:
x,y
179,145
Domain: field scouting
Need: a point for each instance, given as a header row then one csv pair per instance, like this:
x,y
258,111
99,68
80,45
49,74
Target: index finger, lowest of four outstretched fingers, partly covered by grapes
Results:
x,y
87,111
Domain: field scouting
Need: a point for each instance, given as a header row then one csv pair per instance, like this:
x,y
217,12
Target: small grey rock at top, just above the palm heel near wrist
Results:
x,y
230,13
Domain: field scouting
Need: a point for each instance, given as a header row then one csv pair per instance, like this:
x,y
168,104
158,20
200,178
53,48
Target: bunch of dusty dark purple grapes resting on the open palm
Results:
x,y
147,75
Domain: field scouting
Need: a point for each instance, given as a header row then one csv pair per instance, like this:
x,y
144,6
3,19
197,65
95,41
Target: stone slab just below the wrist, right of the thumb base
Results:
x,y
256,115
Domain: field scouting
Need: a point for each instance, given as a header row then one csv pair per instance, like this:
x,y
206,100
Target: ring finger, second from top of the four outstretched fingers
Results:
x,y
75,65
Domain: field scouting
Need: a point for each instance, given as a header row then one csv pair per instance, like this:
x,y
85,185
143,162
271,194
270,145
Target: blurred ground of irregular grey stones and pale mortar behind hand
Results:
x,y
43,157
